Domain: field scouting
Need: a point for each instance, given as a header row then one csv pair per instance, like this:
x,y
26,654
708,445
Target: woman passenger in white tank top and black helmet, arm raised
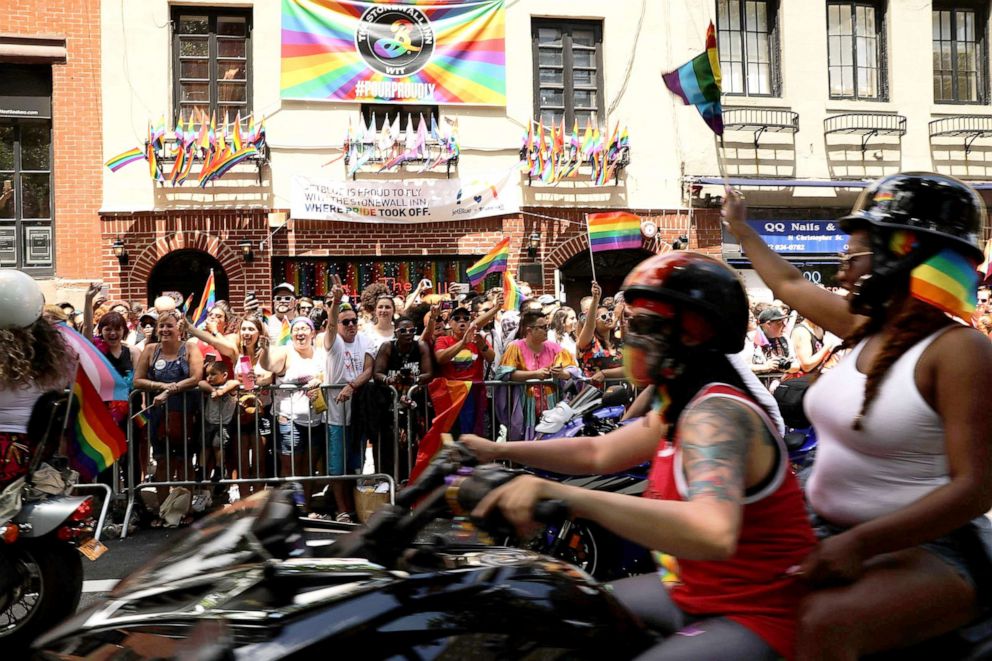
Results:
x,y
903,473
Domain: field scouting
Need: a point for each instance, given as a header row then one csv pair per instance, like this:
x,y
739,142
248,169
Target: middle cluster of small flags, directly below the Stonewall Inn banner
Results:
x,y
430,144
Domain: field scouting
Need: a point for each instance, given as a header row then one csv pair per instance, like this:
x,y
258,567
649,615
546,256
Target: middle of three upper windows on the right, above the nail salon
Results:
x,y
855,50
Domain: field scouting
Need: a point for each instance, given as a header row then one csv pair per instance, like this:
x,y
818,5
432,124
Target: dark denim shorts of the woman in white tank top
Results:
x,y
967,550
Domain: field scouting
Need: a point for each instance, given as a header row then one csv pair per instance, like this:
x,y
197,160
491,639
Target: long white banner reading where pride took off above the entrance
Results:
x,y
406,200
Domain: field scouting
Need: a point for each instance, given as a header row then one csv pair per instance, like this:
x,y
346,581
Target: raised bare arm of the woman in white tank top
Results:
x,y
824,308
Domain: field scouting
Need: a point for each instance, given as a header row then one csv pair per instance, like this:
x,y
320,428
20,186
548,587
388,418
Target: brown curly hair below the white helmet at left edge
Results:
x,y
34,356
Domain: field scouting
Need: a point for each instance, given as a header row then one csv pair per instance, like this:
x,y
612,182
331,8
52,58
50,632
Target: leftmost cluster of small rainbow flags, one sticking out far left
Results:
x,y
216,146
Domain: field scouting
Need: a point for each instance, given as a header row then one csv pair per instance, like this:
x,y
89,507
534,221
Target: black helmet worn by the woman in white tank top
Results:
x,y
940,211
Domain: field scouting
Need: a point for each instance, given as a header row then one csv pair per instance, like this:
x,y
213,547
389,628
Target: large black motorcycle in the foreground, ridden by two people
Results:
x,y
246,582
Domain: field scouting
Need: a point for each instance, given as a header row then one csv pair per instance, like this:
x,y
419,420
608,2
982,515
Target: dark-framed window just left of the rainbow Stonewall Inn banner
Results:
x,y
211,62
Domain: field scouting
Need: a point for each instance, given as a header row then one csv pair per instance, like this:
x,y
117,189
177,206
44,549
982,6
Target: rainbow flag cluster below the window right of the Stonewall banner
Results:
x,y
553,155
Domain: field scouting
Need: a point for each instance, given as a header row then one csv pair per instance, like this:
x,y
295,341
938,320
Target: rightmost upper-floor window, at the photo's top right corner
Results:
x,y
958,55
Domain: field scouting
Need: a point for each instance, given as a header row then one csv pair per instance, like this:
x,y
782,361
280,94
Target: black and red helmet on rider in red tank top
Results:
x,y
708,297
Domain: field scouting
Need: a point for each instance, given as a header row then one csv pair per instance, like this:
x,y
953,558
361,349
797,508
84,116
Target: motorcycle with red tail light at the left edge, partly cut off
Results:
x,y
41,572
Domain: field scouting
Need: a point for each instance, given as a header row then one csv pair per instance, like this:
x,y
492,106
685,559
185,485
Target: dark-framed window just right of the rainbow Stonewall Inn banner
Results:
x,y
568,66
